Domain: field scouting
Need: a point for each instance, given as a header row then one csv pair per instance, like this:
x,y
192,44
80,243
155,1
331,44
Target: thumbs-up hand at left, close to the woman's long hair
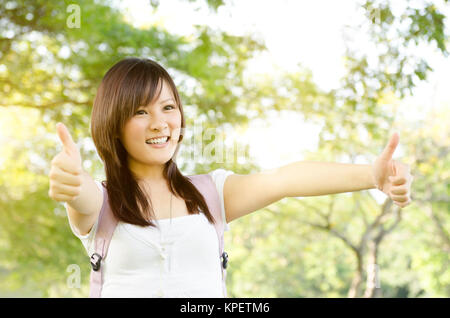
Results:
x,y
65,172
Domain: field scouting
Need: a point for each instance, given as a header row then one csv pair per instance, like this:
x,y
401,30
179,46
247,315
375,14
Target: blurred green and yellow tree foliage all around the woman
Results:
x,y
289,249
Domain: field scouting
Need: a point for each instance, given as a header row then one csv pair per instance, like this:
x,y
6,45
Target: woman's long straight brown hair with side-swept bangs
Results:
x,y
128,84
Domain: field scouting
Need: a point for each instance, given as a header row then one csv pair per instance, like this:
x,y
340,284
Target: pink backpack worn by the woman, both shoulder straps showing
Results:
x,y
107,224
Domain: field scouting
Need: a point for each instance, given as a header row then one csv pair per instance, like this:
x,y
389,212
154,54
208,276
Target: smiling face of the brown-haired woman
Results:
x,y
159,118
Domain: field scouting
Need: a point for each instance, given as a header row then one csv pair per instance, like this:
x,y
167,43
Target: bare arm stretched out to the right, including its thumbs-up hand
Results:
x,y
244,194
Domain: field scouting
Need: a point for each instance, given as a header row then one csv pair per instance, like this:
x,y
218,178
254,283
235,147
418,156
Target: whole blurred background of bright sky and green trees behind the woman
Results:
x,y
285,80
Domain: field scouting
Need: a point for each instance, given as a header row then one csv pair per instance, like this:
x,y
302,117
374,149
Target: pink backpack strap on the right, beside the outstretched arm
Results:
x,y
205,184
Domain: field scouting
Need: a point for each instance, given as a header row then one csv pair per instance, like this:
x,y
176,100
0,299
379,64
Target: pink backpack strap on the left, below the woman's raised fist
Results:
x,y
105,229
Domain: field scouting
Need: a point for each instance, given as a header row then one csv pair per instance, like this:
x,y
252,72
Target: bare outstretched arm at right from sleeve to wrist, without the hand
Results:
x,y
244,194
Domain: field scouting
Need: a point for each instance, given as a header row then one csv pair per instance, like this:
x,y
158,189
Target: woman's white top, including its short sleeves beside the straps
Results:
x,y
178,260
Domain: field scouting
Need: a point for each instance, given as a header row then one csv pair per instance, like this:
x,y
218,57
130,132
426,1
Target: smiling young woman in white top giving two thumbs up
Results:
x,y
164,244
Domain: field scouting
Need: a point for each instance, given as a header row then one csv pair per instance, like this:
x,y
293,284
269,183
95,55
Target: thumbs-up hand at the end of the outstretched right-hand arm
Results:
x,y
392,177
